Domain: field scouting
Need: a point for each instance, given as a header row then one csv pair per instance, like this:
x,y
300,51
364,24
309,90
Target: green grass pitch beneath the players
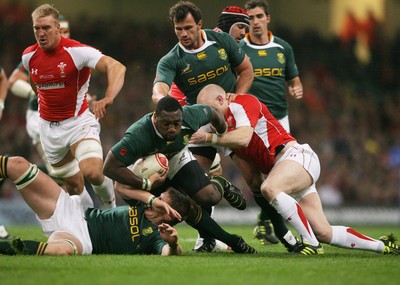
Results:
x,y
272,265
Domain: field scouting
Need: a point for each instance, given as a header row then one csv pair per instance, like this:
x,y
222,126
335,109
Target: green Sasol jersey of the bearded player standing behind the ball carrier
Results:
x,y
212,63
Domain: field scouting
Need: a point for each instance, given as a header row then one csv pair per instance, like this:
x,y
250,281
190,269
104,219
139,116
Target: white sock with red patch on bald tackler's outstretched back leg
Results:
x,y
348,238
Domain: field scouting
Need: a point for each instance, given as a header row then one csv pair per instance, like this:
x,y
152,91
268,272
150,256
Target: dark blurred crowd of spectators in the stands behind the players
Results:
x,y
349,115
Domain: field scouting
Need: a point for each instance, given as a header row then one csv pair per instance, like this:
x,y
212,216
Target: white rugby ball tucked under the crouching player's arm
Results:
x,y
146,166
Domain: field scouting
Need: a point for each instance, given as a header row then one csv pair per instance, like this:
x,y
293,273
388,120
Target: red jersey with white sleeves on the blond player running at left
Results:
x,y
61,77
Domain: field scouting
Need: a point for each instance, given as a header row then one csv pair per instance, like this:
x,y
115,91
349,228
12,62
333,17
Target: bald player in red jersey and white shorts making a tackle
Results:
x,y
261,147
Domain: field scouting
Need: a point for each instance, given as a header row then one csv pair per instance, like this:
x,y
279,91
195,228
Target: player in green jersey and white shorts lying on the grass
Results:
x,y
71,229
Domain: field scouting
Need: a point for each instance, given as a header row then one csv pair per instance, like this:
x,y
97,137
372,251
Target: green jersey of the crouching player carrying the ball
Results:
x,y
142,139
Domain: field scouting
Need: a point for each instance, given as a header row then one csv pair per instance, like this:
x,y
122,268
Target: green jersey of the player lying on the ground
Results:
x,y
123,230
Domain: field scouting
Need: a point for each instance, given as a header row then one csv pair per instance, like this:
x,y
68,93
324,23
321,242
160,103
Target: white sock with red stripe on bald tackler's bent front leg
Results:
x,y
291,211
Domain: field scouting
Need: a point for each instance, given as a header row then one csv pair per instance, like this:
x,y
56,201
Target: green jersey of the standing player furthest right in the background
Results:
x,y
273,64
